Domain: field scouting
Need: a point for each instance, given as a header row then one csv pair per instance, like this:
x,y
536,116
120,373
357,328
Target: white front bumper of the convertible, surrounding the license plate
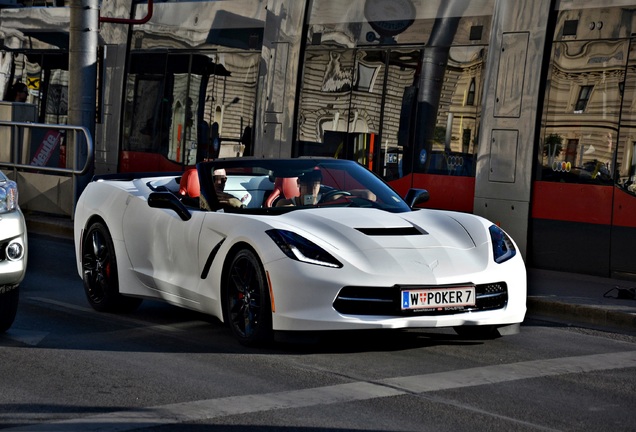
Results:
x,y
308,298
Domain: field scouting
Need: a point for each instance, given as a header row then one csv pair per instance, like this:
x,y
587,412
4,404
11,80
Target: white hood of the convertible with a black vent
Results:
x,y
419,243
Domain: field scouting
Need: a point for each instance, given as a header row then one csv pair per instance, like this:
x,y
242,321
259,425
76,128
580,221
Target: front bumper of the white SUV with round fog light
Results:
x,y
12,230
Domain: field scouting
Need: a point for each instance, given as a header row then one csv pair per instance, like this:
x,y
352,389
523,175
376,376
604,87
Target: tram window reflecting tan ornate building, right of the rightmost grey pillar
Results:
x,y
582,111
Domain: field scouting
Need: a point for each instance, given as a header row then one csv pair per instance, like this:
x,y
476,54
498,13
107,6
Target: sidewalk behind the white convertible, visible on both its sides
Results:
x,y
569,298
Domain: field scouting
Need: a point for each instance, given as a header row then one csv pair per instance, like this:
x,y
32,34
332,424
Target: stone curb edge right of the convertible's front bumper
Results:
x,y
582,314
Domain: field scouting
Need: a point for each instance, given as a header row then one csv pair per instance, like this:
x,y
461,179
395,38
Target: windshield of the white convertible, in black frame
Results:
x,y
281,185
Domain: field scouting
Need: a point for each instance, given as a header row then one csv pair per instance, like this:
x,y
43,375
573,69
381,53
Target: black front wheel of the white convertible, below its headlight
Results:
x,y
247,303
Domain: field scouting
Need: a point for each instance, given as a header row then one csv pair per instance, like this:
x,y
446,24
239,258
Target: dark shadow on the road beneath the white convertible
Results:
x,y
159,327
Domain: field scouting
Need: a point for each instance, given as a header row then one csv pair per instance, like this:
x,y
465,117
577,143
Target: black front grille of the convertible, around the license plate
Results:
x,y
354,300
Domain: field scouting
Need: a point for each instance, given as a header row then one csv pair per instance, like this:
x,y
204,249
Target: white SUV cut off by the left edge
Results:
x,y
13,251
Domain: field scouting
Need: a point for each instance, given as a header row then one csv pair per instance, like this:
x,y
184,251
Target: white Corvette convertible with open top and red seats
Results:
x,y
269,245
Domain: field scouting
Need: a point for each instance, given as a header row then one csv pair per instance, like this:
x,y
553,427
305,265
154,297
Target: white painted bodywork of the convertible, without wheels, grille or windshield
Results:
x,y
161,256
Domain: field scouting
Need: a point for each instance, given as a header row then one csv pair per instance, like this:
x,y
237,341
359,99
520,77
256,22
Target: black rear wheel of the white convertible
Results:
x,y
99,270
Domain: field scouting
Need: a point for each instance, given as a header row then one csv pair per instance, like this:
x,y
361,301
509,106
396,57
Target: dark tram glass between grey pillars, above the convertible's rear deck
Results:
x,y
190,107
